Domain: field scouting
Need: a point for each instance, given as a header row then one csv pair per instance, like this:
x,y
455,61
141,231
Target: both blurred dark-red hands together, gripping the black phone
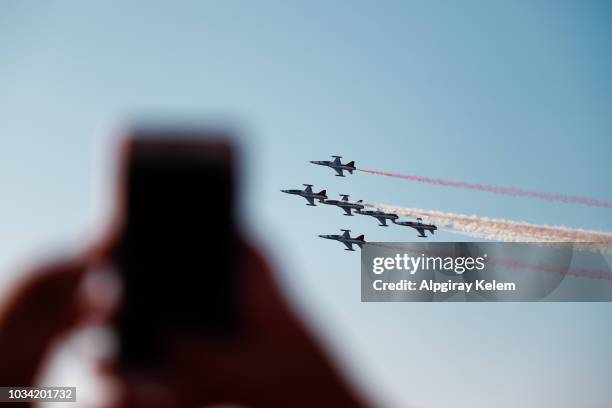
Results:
x,y
272,362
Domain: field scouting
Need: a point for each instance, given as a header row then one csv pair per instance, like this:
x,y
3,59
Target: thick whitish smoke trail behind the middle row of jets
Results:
x,y
503,230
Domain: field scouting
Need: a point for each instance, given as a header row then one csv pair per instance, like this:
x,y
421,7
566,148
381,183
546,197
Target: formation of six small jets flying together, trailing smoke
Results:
x,y
350,208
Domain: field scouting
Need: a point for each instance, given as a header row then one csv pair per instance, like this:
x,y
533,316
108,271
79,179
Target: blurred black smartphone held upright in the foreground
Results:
x,y
178,255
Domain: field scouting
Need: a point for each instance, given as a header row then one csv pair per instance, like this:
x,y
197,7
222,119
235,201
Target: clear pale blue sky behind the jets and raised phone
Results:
x,y
514,93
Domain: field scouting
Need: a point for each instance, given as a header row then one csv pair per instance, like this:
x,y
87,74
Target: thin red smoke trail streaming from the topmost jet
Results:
x,y
516,192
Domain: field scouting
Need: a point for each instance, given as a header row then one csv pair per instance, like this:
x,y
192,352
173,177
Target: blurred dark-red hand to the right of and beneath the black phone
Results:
x,y
273,363
